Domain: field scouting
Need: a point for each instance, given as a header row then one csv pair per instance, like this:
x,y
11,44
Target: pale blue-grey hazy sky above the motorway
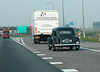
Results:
x,y
19,12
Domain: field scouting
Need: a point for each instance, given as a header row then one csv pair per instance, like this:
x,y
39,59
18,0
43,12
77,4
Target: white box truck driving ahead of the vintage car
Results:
x,y
44,22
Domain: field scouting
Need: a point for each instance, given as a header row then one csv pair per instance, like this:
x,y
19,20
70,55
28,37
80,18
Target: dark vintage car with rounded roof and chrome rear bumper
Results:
x,y
63,37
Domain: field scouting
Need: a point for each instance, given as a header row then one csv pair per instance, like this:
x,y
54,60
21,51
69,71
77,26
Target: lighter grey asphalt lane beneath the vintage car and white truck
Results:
x,y
83,60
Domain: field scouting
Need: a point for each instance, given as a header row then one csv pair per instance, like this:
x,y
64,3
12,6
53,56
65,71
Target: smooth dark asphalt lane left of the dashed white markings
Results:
x,y
16,58
